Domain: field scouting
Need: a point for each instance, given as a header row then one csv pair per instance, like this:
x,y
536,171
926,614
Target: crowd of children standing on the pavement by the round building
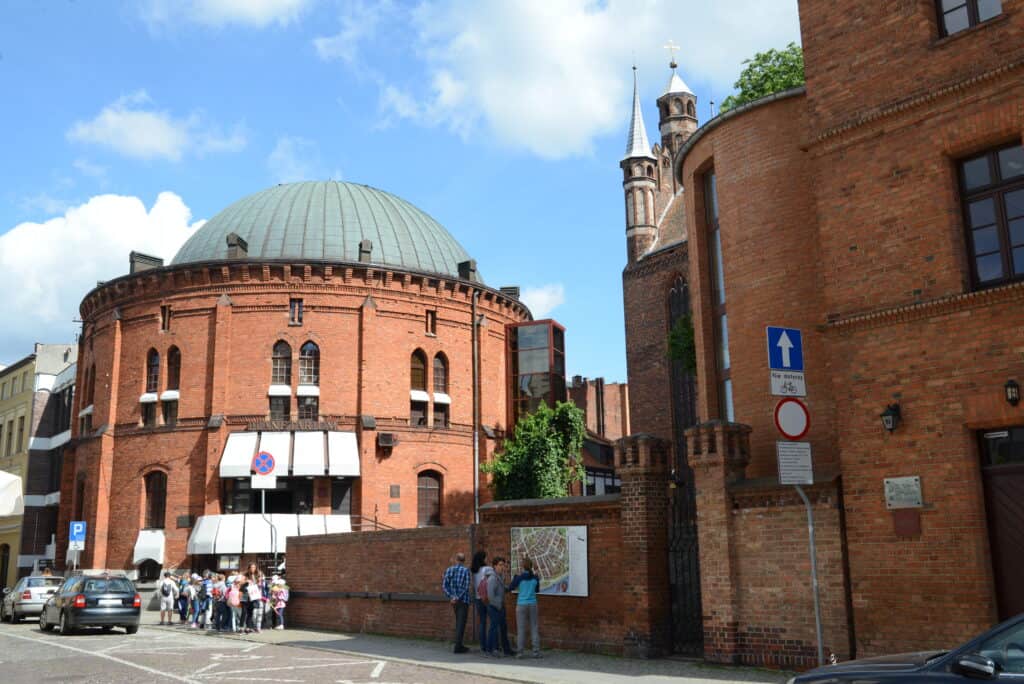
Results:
x,y
234,604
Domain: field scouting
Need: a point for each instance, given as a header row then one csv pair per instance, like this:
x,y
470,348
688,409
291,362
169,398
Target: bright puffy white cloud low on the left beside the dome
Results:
x,y
47,269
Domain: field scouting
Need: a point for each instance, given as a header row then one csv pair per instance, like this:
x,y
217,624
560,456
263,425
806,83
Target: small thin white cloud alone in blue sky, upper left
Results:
x,y
134,129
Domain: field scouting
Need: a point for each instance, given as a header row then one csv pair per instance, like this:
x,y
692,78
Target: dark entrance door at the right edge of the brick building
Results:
x,y
1003,475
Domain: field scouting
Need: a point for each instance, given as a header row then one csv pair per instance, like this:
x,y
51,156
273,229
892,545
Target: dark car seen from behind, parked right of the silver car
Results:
x,y
93,601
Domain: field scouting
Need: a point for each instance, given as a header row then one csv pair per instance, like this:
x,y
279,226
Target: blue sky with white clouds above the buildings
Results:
x,y
126,125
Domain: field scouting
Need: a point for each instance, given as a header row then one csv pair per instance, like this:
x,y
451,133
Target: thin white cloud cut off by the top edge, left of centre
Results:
x,y
259,14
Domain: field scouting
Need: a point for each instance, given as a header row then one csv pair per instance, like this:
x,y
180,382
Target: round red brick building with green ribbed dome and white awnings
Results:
x,y
327,325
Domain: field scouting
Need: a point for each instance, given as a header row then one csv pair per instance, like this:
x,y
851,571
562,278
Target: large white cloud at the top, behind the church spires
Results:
x,y
550,77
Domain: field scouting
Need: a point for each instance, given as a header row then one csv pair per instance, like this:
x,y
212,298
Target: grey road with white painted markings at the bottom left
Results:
x,y
180,656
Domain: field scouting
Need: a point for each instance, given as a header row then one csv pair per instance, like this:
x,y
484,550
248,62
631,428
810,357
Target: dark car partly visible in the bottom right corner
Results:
x,y
995,655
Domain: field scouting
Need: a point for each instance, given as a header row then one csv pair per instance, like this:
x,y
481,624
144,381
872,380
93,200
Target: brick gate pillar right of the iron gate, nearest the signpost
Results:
x,y
718,453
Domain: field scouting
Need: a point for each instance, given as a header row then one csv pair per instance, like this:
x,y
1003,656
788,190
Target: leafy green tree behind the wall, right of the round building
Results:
x,y
542,458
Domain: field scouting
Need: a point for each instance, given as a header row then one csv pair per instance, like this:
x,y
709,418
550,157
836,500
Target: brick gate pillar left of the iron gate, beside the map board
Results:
x,y
643,464
